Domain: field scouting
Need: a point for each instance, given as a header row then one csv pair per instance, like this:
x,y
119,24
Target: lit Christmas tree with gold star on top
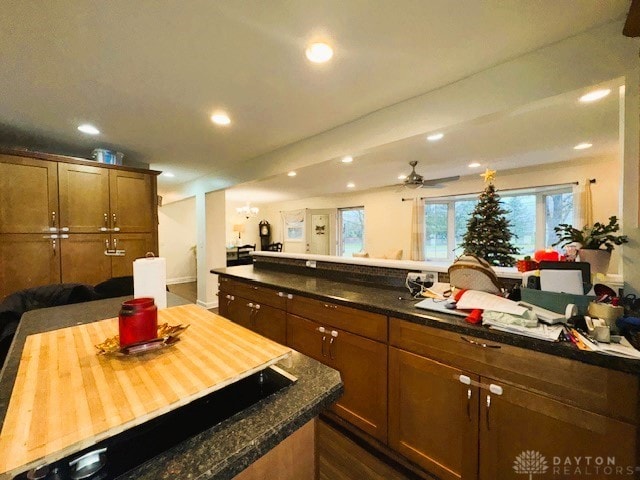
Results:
x,y
488,235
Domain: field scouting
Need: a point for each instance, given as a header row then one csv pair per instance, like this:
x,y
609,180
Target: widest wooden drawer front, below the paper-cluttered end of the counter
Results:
x,y
593,388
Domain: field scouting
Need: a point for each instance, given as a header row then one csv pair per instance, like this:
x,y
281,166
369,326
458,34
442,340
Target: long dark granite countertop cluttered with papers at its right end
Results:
x,y
399,303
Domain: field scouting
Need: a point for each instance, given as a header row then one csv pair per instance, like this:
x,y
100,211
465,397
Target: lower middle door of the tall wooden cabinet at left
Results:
x,y
83,258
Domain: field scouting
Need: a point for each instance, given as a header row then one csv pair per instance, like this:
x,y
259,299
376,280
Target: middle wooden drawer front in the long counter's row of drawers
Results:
x,y
367,324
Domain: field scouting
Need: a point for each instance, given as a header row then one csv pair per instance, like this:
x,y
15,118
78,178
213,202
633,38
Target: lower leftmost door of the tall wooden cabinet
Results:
x,y
28,260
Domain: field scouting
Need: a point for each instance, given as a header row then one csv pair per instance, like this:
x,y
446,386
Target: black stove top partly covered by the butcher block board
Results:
x,y
118,454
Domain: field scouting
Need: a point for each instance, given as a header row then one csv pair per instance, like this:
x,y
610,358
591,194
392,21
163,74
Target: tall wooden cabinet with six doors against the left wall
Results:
x,y
75,212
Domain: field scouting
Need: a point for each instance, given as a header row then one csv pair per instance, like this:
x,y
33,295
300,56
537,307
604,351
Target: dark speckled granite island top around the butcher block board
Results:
x,y
224,450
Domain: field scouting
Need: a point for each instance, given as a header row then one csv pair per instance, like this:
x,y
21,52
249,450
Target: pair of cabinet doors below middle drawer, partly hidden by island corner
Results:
x,y
362,363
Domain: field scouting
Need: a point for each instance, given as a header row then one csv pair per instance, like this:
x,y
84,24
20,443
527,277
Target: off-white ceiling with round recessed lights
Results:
x,y
149,74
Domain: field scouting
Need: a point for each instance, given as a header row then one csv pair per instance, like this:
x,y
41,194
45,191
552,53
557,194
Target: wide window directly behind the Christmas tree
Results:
x,y
533,214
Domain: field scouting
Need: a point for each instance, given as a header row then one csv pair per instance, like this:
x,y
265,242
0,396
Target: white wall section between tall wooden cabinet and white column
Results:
x,y
176,237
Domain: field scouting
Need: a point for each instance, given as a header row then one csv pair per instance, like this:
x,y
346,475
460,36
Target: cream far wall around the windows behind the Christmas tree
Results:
x,y
388,219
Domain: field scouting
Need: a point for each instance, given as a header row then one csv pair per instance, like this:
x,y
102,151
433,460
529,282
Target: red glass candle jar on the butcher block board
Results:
x,y
138,321
